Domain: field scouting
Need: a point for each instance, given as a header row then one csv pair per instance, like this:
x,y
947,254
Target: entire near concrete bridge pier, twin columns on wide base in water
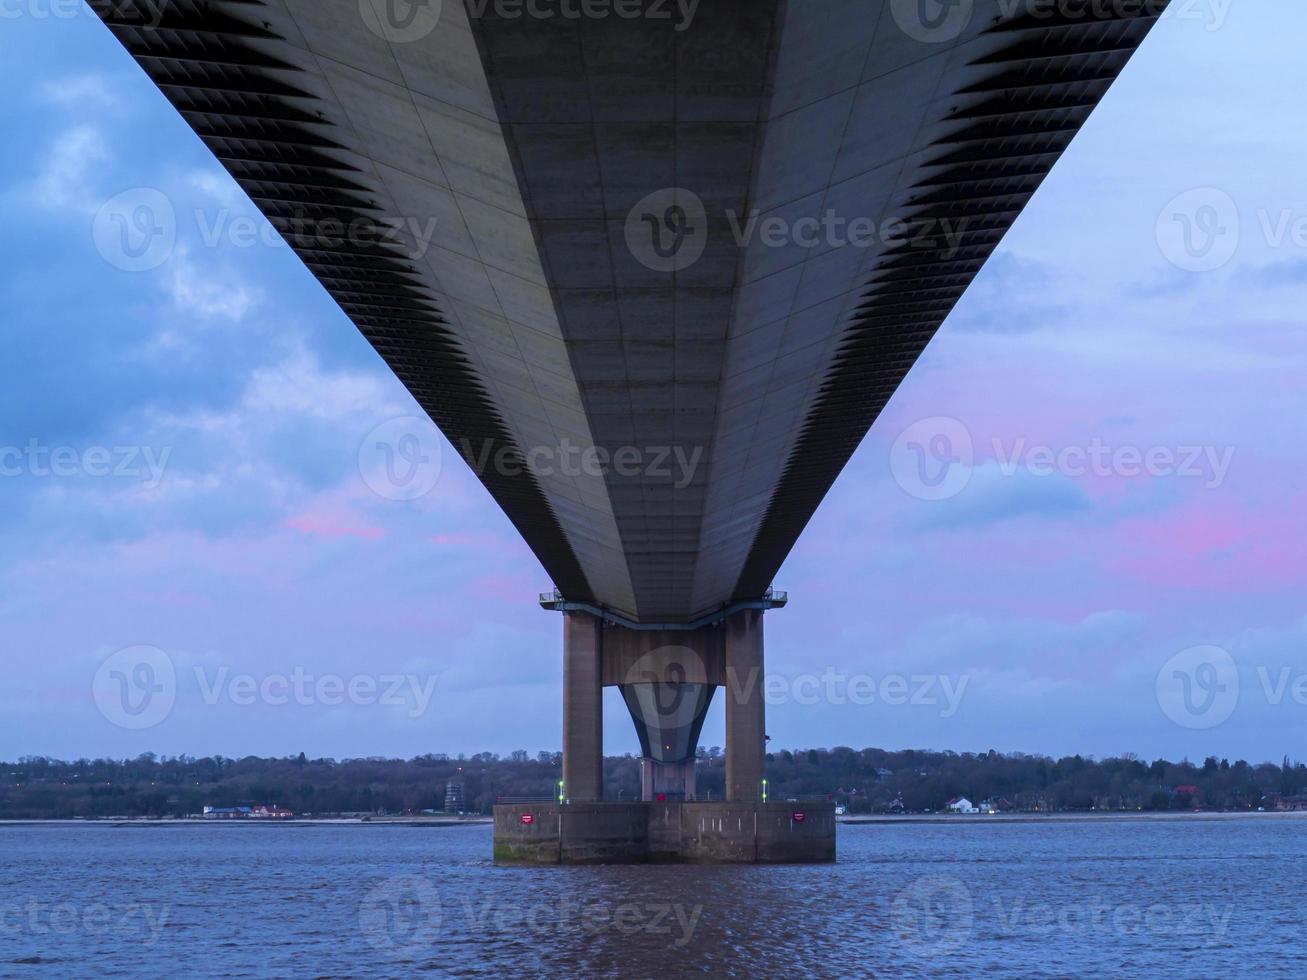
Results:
x,y
669,676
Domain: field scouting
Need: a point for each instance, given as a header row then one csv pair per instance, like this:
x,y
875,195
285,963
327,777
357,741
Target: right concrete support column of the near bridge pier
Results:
x,y
746,711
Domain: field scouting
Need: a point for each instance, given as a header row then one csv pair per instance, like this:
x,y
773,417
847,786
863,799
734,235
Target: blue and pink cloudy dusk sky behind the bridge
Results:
x,y
1100,552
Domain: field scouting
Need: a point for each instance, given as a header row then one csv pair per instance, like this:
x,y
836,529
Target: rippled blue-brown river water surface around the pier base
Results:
x,y
1133,898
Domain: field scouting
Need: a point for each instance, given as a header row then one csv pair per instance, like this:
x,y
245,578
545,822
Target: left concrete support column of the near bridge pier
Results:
x,y
584,709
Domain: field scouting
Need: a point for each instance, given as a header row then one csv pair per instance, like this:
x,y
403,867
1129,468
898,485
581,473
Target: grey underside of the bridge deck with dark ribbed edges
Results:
x,y
573,249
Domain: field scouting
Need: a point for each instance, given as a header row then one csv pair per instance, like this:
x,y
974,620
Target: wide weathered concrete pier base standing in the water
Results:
x,y
665,833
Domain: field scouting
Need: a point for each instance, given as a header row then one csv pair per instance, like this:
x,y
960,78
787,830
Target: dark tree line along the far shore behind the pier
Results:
x,y
869,781
